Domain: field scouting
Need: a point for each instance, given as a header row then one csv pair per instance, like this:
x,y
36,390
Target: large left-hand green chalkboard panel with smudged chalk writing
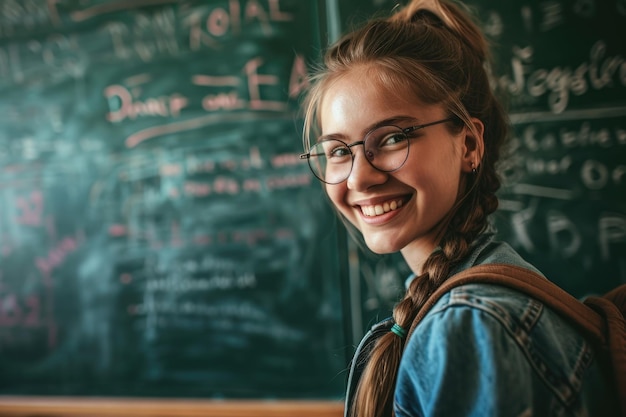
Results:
x,y
159,235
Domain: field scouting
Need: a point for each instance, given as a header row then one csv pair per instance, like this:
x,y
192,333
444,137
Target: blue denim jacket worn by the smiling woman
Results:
x,y
485,350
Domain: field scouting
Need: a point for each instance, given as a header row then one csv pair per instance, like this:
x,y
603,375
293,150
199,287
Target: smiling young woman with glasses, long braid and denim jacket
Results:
x,y
408,133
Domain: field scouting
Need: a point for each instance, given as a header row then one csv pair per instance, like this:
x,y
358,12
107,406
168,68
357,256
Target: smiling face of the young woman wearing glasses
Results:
x,y
400,210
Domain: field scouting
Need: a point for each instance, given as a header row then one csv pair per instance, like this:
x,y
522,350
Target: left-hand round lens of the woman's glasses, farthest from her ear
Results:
x,y
330,161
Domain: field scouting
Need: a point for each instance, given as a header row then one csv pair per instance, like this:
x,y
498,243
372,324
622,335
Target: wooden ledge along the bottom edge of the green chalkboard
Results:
x,y
137,407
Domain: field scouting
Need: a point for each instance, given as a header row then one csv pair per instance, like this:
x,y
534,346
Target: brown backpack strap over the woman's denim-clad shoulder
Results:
x,y
527,282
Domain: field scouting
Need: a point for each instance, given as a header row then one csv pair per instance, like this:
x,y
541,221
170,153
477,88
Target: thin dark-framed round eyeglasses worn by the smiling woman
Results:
x,y
386,149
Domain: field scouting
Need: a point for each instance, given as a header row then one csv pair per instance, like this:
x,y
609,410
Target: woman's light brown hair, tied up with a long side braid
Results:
x,y
435,50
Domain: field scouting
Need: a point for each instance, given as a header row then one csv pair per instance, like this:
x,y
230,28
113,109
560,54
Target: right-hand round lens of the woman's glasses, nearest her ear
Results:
x,y
387,148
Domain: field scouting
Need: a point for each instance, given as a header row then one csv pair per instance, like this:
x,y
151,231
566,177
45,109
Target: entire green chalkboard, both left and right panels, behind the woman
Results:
x,y
159,235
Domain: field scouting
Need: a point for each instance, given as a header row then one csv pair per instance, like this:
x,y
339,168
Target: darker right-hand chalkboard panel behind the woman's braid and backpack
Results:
x,y
562,66
